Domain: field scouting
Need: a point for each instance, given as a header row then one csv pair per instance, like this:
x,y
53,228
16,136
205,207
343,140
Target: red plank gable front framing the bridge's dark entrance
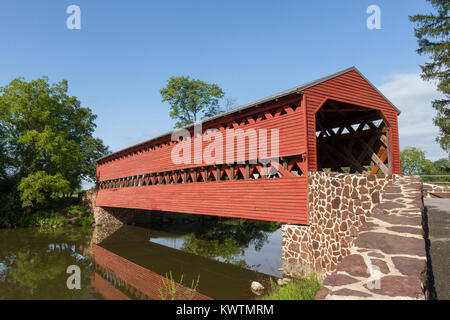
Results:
x,y
350,87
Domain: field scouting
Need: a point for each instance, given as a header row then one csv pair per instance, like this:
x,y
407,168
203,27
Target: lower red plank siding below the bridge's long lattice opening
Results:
x,y
283,199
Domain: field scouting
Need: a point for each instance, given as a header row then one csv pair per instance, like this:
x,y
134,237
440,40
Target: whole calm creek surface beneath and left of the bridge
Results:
x,y
197,260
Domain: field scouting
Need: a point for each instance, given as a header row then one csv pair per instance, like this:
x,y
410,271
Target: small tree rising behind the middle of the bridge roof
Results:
x,y
191,99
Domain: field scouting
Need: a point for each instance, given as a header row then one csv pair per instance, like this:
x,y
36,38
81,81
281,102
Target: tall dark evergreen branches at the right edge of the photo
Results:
x,y
432,31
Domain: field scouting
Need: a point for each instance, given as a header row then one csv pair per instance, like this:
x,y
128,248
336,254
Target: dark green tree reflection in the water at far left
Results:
x,y
33,264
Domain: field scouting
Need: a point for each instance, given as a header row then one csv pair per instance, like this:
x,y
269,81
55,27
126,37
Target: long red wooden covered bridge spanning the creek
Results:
x,y
340,123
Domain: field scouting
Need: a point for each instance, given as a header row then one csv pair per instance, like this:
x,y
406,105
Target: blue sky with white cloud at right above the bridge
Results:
x,y
126,50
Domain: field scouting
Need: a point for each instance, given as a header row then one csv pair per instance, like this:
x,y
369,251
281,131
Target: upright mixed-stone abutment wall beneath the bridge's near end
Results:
x,y
338,206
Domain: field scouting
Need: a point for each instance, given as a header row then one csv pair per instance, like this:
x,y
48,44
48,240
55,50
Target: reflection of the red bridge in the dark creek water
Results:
x,y
130,264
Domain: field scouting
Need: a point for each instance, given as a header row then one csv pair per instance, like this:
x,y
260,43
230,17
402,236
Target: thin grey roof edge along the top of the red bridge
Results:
x,y
279,95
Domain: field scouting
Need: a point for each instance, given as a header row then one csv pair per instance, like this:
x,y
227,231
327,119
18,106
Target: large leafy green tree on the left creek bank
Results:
x,y
46,140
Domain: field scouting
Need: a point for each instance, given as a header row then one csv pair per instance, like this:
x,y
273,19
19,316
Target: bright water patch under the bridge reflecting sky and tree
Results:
x,y
248,244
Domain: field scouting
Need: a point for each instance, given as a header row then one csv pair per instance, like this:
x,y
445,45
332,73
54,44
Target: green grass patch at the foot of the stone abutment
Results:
x,y
297,289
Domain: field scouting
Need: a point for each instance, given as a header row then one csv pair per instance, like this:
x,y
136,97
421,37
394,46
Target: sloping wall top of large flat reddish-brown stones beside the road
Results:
x,y
388,259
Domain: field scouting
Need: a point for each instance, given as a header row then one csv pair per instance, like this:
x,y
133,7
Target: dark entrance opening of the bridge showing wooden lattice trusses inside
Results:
x,y
351,139
